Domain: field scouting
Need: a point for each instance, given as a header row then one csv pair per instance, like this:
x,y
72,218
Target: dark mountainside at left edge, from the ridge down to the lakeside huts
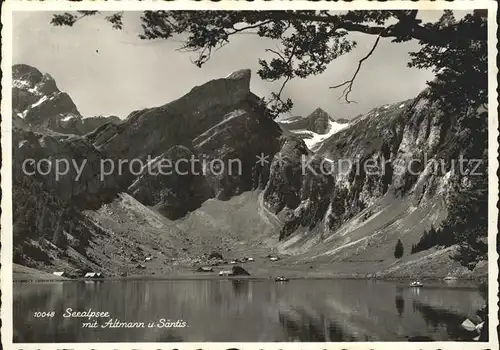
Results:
x,y
46,202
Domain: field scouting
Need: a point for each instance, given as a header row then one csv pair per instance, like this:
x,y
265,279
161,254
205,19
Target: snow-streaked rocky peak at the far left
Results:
x,y
38,104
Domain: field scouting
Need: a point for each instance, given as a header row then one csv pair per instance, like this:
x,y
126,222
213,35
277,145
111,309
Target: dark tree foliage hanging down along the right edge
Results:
x,y
461,85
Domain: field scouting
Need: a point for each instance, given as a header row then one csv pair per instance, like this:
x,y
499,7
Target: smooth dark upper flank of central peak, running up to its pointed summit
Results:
x,y
178,122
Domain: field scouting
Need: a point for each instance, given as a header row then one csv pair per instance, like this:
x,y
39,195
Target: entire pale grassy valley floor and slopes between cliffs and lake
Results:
x,y
359,249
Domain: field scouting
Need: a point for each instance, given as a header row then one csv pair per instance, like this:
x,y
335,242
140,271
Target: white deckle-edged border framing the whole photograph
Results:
x,y
6,175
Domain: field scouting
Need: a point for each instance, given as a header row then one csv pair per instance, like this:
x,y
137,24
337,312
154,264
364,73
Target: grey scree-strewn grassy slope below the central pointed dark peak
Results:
x,y
134,232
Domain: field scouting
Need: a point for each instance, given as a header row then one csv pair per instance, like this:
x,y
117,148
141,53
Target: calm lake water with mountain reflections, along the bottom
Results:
x,y
253,310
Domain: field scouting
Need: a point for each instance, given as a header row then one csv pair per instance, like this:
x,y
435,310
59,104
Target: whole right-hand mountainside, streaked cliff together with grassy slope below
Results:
x,y
388,176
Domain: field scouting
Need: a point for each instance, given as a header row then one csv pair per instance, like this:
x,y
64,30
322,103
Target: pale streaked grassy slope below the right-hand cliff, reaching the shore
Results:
x,y
366,247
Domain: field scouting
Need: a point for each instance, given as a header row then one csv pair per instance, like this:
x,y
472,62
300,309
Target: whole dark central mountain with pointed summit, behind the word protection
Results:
x,y
215,131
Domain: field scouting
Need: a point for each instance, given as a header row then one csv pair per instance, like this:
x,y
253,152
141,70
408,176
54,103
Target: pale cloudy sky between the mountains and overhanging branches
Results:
x,y
111,72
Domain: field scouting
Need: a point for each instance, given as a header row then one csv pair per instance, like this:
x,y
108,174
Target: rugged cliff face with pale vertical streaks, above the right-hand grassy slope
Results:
x,y
391,149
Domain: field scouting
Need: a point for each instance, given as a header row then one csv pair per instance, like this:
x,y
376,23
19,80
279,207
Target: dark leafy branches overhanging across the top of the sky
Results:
x,y
308,41
